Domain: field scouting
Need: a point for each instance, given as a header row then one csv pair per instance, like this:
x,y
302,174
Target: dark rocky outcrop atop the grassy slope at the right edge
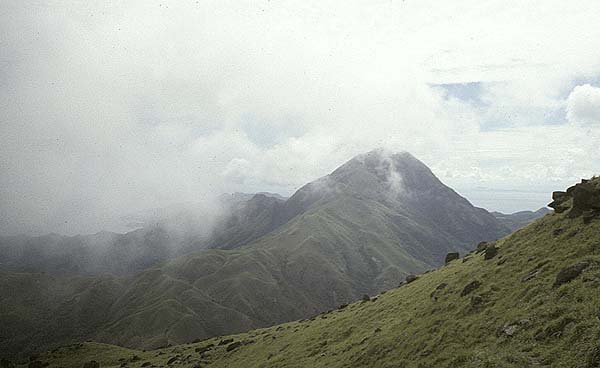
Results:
x,y
582,199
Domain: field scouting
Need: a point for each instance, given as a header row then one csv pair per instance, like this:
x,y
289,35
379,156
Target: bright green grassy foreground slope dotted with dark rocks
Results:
x,y
535,303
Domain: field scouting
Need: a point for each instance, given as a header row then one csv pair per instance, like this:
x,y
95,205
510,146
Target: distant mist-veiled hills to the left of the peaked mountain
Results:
x,y
163,234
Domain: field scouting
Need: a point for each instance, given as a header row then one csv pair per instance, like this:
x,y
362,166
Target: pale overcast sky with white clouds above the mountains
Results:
x,y
108,108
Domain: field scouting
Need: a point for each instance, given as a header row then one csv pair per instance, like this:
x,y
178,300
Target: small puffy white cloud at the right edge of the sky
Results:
x,y
583,105
